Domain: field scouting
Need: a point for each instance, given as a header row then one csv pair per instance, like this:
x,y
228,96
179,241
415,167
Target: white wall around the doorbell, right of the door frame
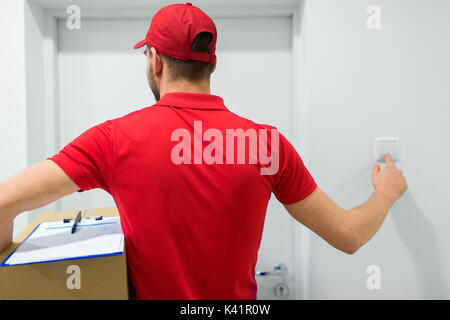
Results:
x,y
362,83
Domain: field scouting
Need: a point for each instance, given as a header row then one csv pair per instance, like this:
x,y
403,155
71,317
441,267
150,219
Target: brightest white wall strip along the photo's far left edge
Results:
x,y
13,137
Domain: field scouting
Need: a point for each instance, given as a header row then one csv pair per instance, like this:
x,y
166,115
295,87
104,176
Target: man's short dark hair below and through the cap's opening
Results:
x,y
192,71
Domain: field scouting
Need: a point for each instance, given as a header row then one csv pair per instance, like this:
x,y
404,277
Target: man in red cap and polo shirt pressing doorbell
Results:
x,y
190,187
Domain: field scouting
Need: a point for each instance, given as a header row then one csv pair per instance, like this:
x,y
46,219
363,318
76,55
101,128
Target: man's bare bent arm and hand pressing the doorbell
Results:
x,y
348,230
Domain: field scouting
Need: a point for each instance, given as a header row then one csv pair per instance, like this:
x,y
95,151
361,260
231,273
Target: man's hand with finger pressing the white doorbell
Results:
x,y
390,181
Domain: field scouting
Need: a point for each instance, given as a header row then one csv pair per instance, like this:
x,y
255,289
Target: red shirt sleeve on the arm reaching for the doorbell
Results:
x,y
293,182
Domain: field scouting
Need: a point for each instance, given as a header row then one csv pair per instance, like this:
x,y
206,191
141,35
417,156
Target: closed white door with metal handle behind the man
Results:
x,y
101,77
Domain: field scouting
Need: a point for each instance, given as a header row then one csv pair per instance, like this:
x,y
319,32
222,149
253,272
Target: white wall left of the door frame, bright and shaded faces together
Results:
x,y
26,112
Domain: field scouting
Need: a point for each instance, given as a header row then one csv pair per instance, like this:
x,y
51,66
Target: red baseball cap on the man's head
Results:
x,y
173,29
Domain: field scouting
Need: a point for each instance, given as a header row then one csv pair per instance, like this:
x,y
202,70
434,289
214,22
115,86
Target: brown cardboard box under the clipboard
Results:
x,y
97,278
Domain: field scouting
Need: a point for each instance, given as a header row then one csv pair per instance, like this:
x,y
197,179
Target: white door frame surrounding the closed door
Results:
x,y
300,235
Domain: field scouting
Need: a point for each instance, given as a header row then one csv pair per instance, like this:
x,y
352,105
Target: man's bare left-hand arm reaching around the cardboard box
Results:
x,y
31,188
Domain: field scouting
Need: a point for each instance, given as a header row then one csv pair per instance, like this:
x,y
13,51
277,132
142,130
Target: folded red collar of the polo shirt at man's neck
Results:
x,y
192,101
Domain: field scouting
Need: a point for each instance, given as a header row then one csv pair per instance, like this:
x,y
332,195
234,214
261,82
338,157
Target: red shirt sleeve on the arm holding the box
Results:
x,y
87,160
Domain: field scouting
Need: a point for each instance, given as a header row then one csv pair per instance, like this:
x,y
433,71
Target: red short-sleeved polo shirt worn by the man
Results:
x,y
192,230
